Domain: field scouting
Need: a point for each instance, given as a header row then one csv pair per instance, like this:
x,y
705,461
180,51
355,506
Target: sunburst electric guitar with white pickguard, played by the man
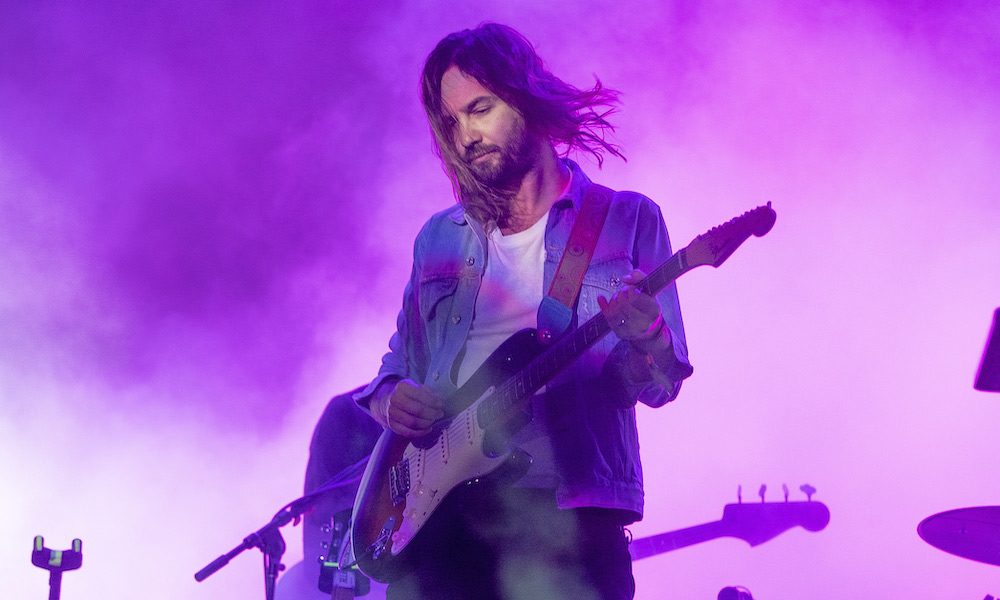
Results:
x,y
406,480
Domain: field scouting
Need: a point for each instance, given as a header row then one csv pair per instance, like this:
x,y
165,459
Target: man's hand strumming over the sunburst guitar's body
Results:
x,y
408,408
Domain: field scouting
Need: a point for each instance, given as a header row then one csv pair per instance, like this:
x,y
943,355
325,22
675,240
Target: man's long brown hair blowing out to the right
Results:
x,y
506,63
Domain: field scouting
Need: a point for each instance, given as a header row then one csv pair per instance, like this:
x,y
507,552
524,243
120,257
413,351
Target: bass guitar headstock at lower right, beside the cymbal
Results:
x,y
758,522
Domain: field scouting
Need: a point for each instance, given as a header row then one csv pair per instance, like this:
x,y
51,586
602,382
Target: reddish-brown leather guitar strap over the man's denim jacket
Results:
x,y
555,313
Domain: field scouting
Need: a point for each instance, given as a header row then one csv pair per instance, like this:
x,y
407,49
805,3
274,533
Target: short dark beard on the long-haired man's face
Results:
x,y
504,166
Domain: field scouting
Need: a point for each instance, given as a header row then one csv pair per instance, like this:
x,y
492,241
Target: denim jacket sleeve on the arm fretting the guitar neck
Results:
x,y
653,380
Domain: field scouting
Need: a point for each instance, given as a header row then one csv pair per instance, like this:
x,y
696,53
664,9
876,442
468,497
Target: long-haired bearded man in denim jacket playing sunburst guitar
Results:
x,y
480,271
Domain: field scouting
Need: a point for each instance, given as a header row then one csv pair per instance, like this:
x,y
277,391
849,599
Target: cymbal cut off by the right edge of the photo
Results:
x,y
972,533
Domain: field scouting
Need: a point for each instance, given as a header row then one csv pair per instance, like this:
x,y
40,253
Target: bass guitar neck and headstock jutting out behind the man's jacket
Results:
x,y
754,523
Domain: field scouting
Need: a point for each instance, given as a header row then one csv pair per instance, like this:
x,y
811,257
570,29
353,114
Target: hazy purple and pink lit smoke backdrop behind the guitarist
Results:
x,y
206,215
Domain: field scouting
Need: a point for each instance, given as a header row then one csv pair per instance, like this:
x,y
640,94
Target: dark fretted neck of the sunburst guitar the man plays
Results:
x,y
515,391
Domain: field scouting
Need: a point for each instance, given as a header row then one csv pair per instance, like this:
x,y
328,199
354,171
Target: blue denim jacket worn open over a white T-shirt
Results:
x,y
589,409
